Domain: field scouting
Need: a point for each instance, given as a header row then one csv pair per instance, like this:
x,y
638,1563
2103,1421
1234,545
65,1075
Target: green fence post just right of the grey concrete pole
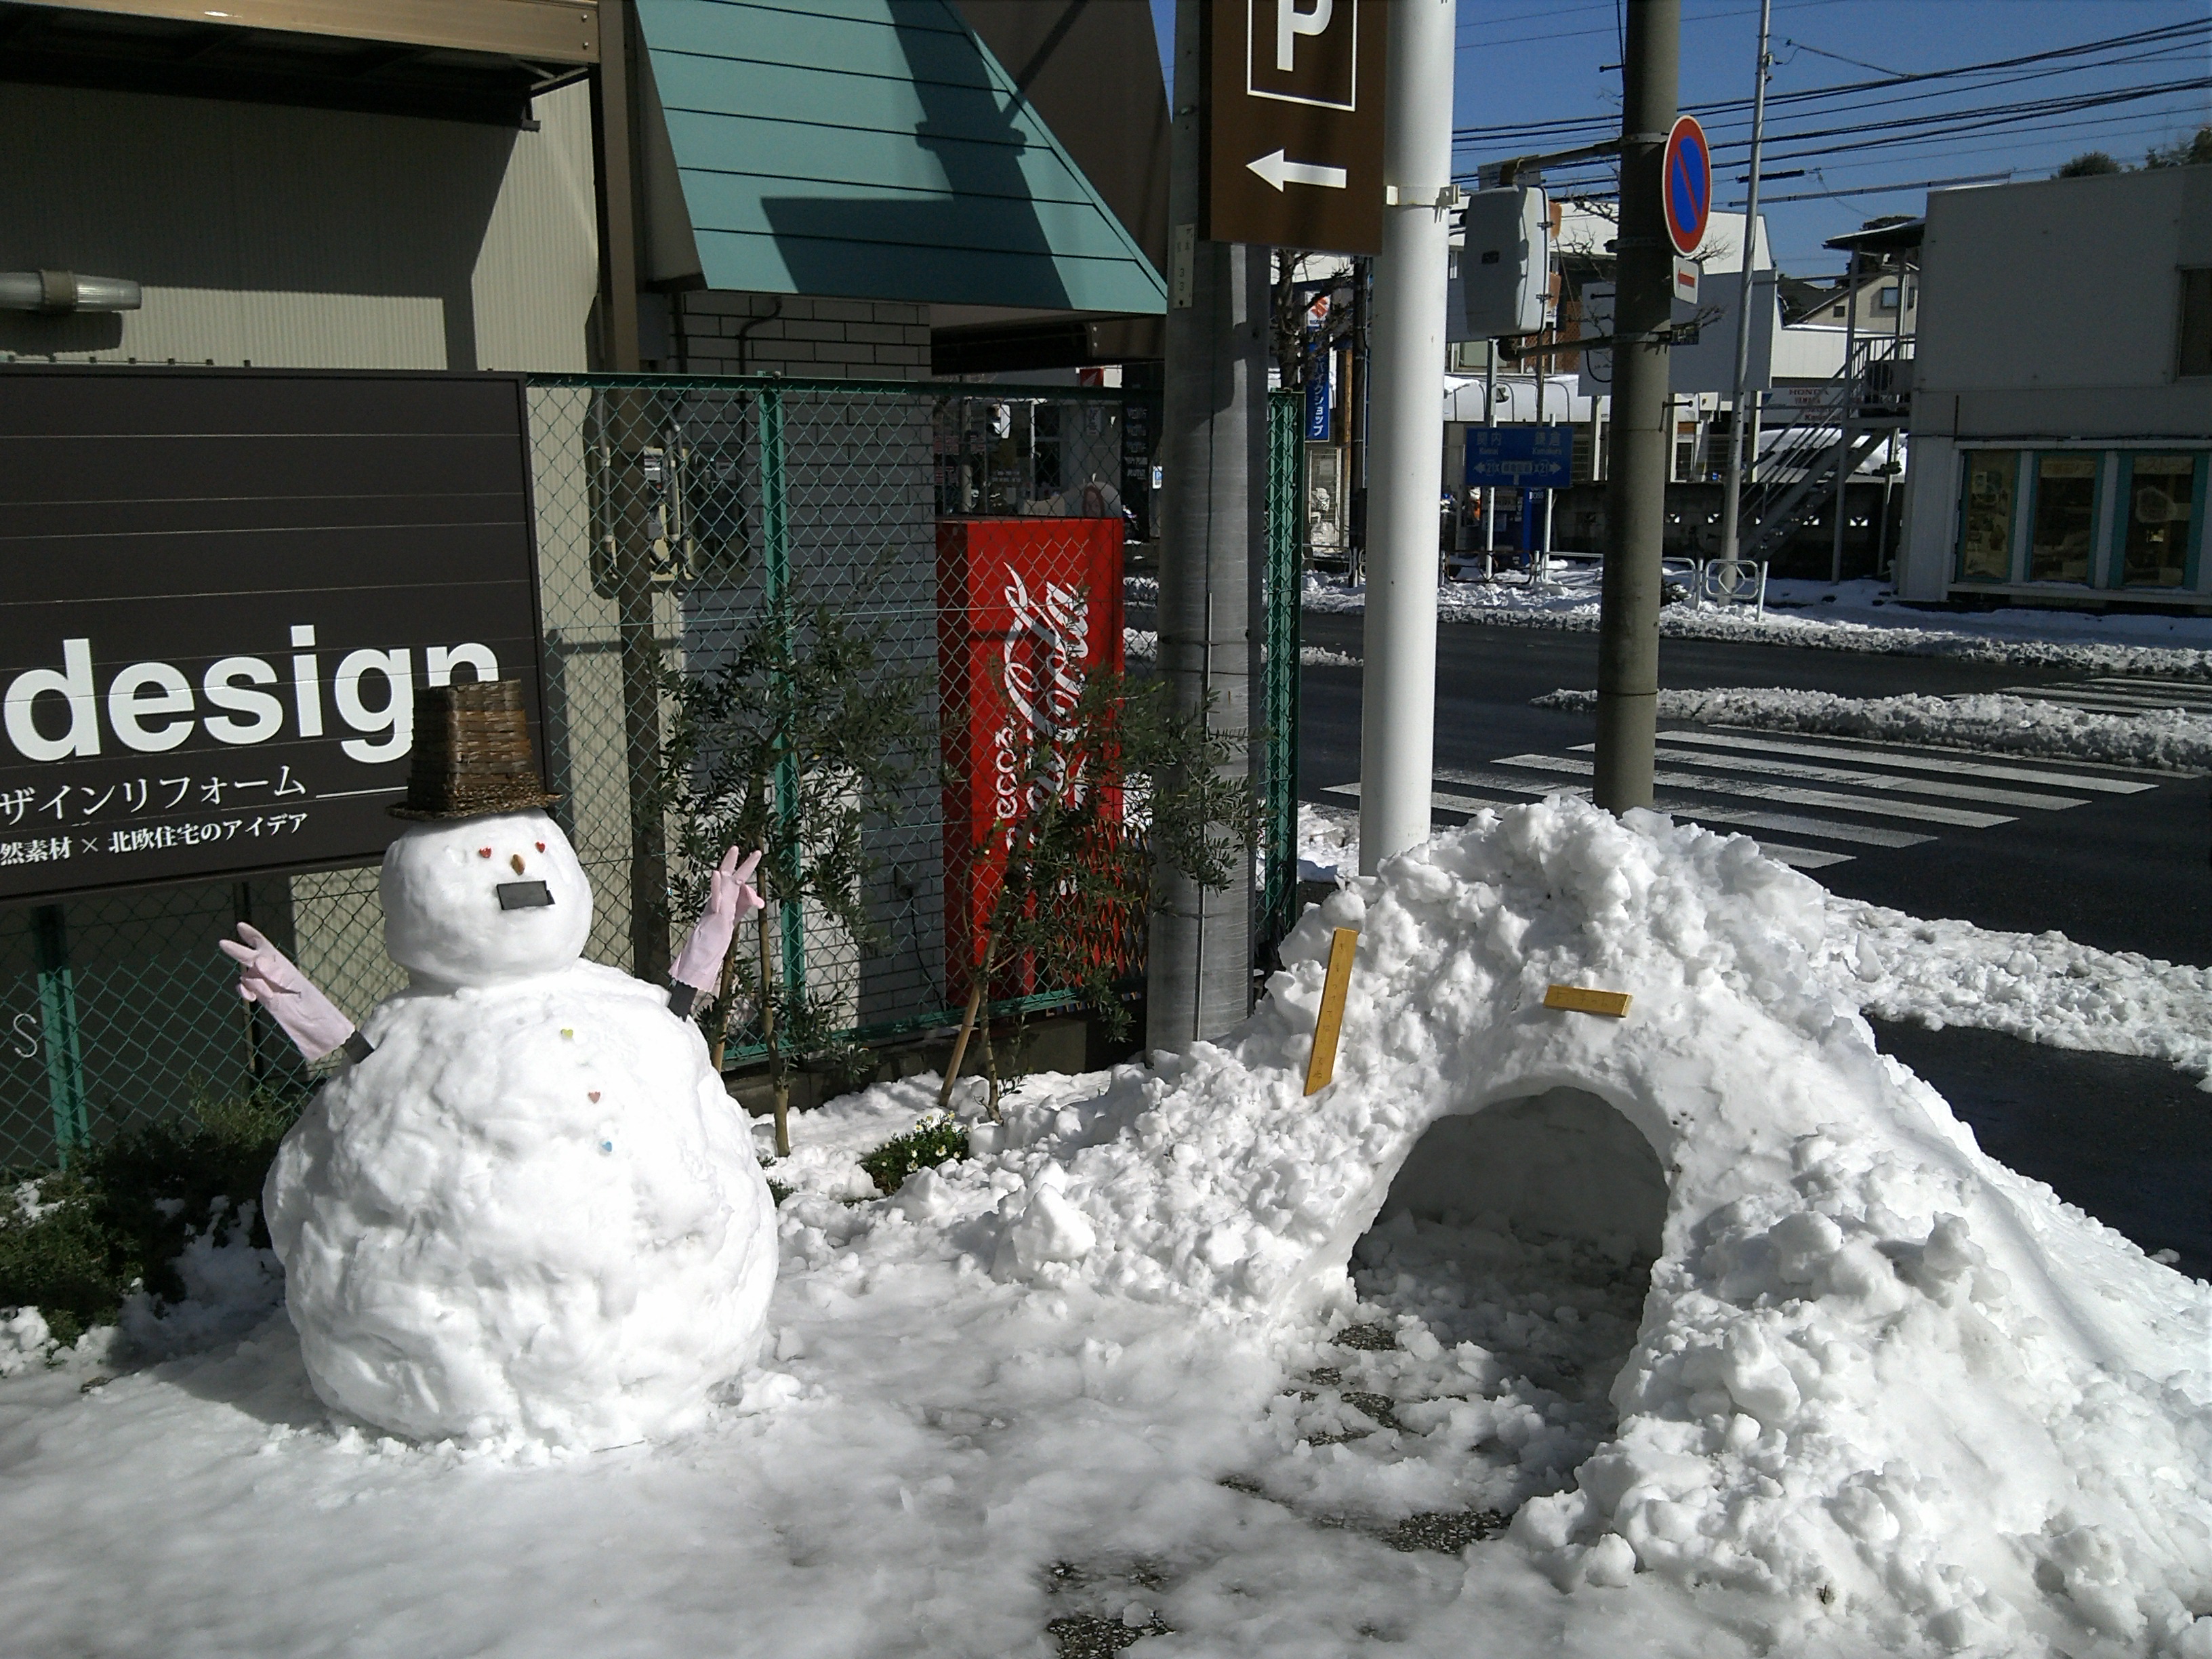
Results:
x,y
1286,514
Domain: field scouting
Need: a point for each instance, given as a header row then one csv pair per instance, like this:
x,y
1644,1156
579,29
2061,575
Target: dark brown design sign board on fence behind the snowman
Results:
x,y
220,594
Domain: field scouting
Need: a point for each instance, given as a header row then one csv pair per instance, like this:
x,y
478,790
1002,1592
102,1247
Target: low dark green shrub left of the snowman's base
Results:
x,y
125,1211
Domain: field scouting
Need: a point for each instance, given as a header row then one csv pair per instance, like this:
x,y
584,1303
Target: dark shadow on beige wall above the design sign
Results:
x,y
213,200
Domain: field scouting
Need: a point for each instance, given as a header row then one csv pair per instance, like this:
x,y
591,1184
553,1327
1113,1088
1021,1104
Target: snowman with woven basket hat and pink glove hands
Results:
x,y
525,1204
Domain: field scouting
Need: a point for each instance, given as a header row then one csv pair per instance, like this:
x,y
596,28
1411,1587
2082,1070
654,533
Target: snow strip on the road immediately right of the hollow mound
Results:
x,y
2030,985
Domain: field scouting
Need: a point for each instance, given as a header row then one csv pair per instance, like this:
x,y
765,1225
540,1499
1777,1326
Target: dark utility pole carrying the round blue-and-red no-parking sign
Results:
x,y
1642,408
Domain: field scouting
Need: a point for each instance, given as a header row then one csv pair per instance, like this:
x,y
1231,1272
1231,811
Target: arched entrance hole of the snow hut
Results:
x,y
1501,1293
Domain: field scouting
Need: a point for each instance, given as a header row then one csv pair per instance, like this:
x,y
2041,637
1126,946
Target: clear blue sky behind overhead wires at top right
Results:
x,y
1527,61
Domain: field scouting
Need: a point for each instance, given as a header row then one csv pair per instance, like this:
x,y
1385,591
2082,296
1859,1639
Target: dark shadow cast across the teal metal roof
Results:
x,y
990,238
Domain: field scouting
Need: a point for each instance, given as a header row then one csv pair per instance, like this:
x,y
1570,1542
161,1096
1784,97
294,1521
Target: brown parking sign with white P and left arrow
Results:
x,y
1295,123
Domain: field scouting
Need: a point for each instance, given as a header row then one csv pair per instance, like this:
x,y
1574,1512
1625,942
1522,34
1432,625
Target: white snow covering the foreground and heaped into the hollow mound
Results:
x,y
1751,1350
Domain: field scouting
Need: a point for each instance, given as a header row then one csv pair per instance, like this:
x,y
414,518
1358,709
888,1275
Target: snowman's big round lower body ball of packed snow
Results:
x,y
532,1211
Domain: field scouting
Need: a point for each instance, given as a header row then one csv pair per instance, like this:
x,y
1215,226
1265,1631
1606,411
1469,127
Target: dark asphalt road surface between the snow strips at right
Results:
x,y
2129,1140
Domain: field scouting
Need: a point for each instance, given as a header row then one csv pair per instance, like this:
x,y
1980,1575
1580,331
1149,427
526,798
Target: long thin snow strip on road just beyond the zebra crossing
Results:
x,y
2173,740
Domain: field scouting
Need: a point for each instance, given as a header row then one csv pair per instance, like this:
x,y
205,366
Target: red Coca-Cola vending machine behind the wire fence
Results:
x,y
1027,607
